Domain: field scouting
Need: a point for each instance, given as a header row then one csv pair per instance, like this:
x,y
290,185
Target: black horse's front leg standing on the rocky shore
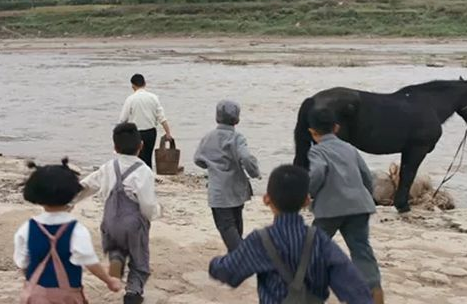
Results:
x,y
412,157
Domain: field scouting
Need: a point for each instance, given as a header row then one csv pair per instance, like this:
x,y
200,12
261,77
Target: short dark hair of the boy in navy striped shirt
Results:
x,y
288,188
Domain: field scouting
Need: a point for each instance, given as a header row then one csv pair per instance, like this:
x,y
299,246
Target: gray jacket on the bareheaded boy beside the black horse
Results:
x,y
341,183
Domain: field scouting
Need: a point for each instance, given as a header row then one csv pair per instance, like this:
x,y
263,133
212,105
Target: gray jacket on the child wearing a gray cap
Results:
x,y
225,154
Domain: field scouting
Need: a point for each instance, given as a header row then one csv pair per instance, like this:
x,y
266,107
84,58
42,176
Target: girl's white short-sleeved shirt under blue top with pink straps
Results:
x,y
81,247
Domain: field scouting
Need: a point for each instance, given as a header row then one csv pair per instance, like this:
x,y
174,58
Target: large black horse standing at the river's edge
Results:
x,y
407,121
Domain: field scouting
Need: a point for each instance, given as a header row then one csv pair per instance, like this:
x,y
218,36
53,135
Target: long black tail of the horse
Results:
x,y
302,135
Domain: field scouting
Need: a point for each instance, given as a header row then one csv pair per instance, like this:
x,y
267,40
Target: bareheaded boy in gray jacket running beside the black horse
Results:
x,y
341,187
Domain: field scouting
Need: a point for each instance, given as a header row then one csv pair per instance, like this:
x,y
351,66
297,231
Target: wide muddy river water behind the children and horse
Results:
x,y
57,102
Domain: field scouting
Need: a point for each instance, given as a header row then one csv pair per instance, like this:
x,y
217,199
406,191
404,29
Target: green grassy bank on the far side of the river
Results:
x,y
71,18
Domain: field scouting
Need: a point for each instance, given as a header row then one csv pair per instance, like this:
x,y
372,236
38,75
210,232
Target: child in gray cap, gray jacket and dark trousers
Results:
x,y
224,153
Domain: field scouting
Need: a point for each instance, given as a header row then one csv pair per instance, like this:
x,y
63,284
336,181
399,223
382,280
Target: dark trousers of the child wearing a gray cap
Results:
x,y
229,222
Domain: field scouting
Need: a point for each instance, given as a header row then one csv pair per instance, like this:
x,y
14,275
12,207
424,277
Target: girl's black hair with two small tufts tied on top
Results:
x,y
52,185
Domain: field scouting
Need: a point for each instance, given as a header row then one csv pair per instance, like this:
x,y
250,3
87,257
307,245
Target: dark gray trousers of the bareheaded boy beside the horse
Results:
x,y
355,230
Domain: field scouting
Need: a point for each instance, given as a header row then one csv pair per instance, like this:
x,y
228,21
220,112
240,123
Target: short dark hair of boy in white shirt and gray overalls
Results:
x,y
127,138
